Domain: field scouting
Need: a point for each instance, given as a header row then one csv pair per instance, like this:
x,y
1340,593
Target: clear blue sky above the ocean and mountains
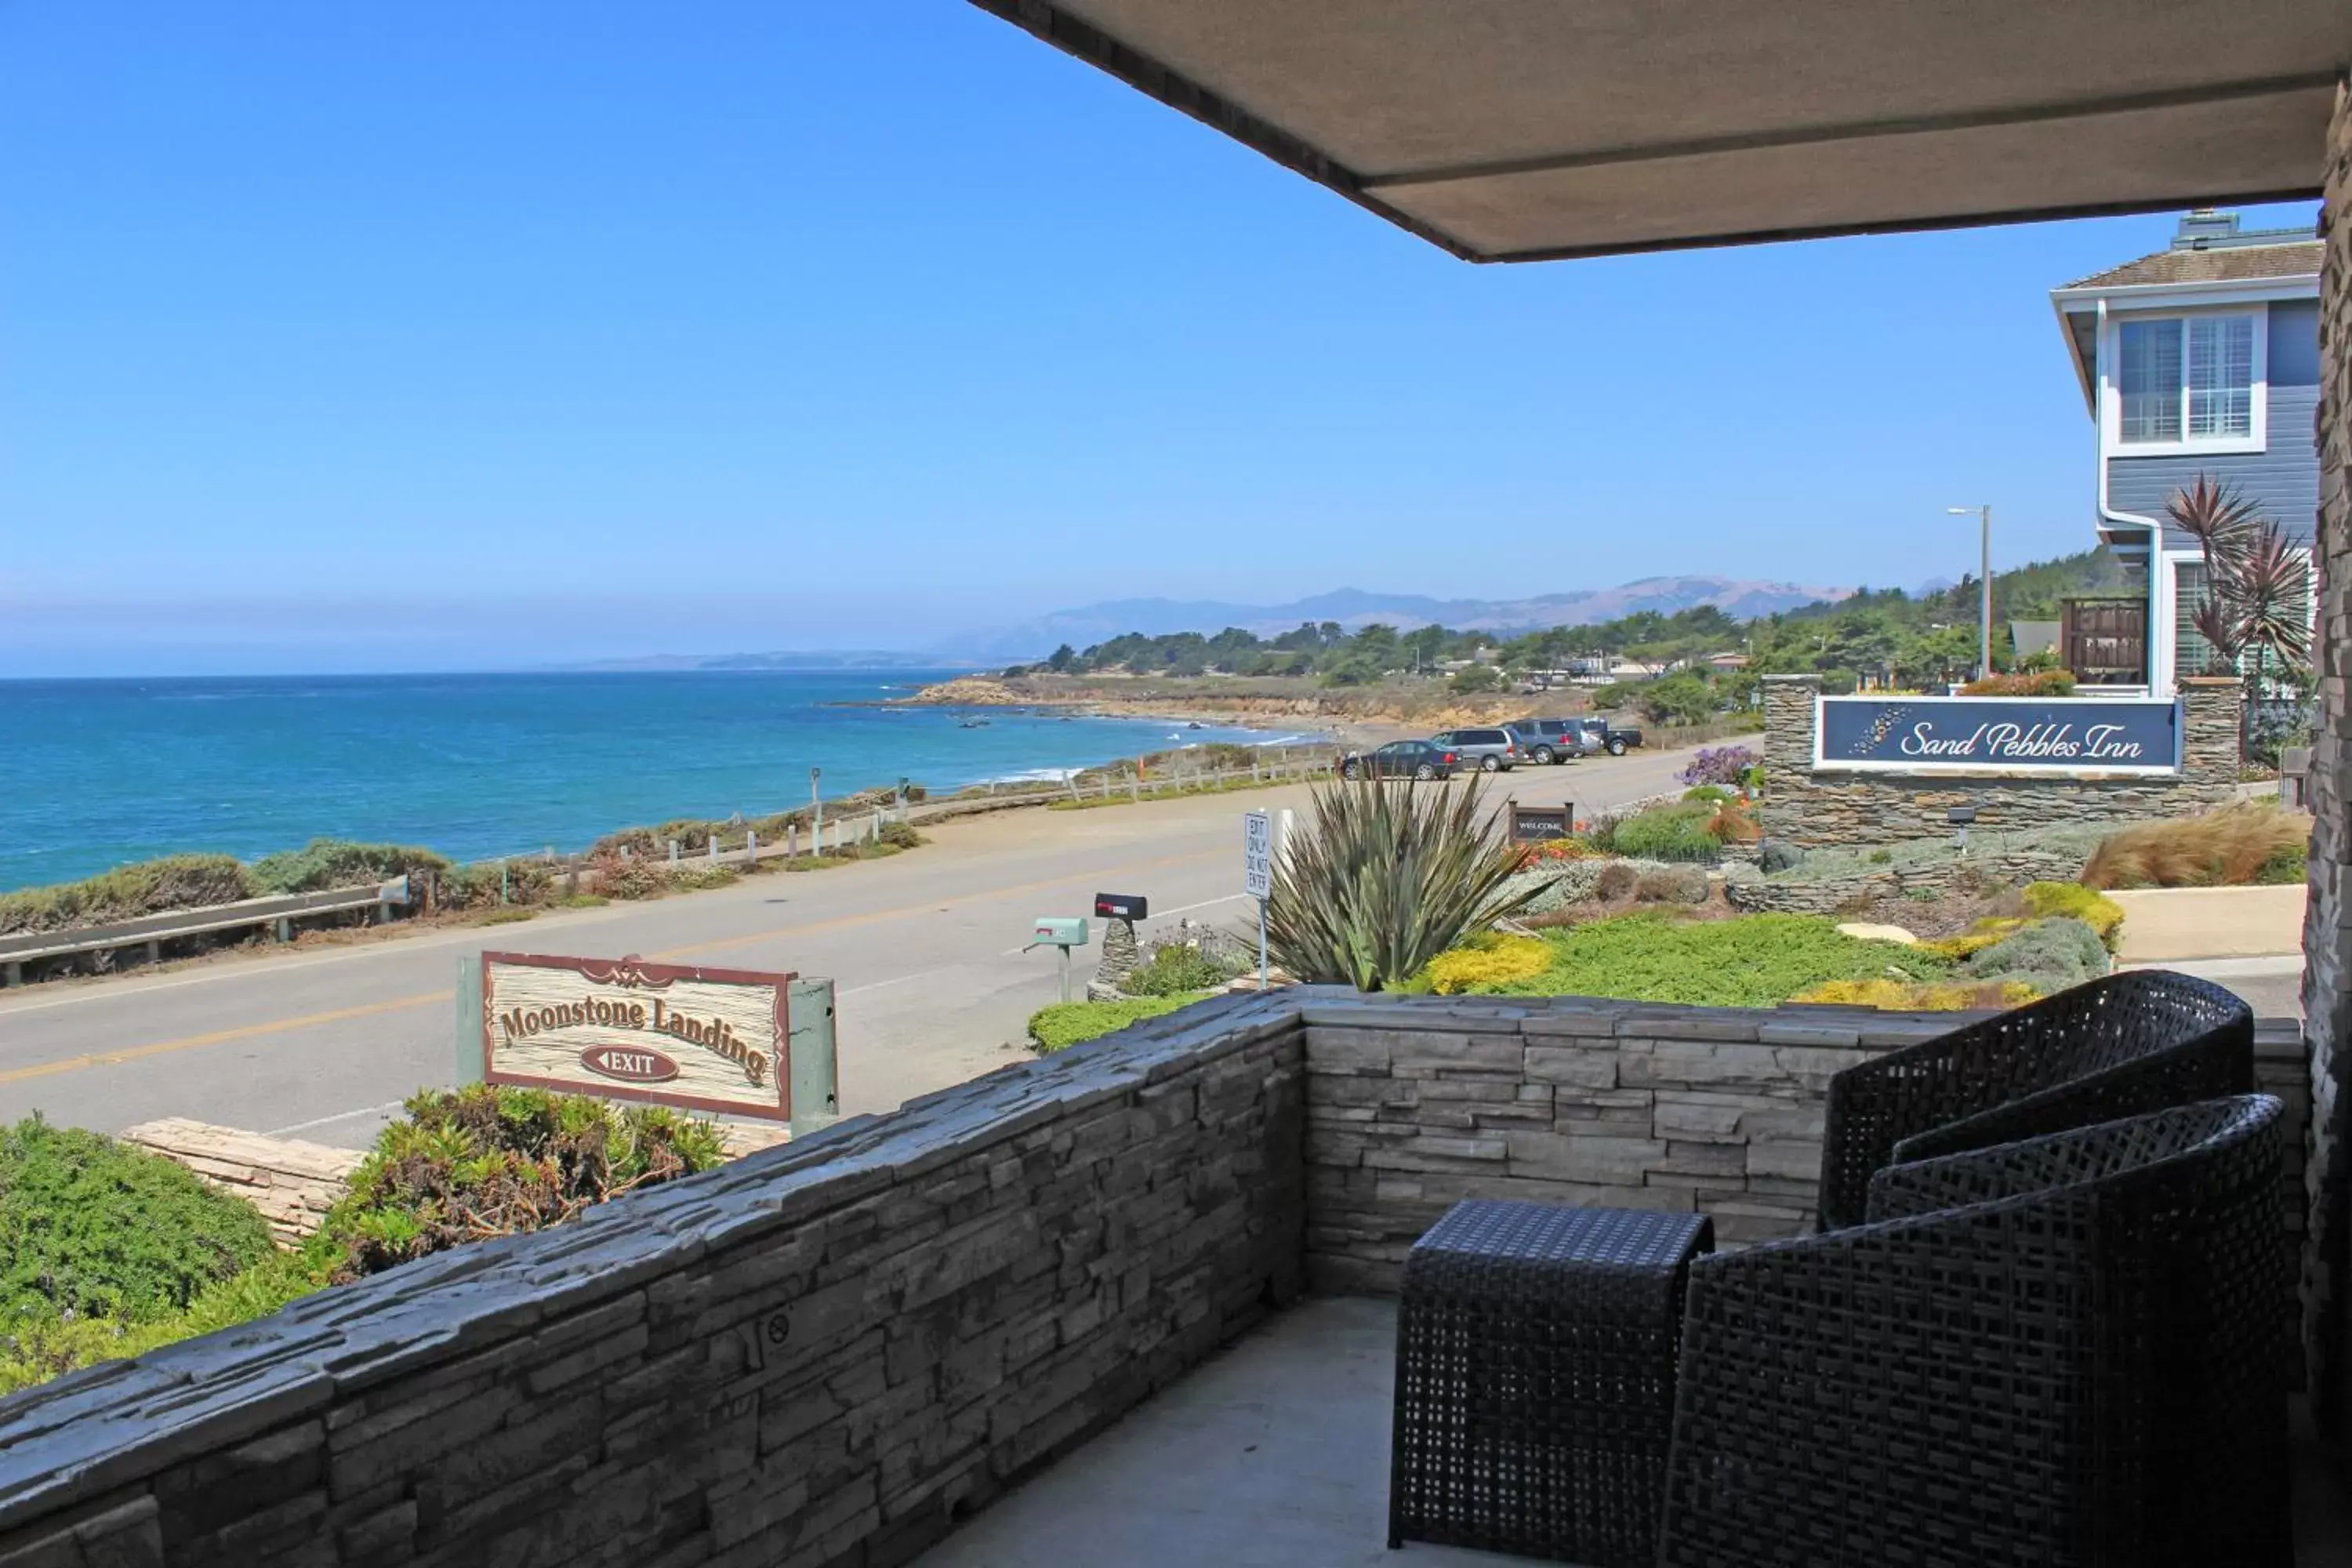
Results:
x,y
455,337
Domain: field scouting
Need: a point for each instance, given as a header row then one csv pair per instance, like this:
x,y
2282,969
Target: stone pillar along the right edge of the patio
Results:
x,y
2327,930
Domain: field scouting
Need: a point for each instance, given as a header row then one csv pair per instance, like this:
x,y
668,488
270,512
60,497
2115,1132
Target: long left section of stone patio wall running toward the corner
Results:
x,y
817,1355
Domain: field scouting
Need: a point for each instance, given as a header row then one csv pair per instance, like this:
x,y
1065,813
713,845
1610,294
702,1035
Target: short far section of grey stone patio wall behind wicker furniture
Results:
x,y
1605,1104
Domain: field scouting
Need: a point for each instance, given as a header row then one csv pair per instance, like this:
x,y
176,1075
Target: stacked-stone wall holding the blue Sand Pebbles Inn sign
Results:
x,y
1833,810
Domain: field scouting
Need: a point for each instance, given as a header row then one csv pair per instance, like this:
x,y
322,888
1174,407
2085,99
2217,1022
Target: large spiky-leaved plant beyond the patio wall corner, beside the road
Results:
x,y
1387,878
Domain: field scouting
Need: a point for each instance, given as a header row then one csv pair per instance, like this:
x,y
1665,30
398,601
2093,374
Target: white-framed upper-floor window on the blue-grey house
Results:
x,y
2191,382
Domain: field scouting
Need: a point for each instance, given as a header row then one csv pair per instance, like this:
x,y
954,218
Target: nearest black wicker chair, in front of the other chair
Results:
x,y
2045,1353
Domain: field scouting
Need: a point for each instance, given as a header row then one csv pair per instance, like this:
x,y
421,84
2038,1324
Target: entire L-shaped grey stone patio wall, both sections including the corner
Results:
x,y
834,1351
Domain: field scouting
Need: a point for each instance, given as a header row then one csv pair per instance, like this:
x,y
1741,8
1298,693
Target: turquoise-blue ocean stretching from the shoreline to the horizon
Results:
x,y
105,772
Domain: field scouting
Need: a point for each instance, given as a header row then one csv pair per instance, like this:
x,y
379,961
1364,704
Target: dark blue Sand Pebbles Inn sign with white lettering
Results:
x,y
2043,735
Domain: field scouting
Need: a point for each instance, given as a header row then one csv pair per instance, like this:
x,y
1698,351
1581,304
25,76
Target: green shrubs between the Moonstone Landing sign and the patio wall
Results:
x,y
112,1252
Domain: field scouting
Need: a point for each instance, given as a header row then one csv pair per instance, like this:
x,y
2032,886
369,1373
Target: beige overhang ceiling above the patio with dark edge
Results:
x,y
1523,130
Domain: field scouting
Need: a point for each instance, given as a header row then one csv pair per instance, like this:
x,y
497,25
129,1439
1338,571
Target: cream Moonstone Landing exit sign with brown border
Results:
x,y
709,1040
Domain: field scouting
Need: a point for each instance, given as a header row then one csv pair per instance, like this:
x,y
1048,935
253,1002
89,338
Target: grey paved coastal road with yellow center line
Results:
x,y
923,949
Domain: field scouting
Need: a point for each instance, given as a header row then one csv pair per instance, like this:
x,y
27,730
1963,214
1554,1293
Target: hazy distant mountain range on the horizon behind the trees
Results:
x,y
1358,608
